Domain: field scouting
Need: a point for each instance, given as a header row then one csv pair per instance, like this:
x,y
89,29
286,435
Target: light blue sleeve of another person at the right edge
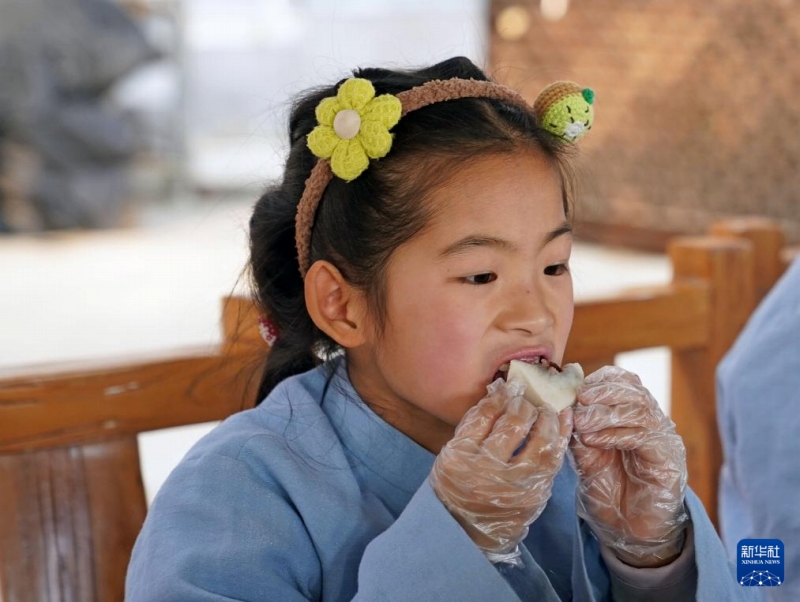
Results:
x,y
758,410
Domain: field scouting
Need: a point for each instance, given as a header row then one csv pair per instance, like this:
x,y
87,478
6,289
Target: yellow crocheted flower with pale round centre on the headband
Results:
x,y
354,127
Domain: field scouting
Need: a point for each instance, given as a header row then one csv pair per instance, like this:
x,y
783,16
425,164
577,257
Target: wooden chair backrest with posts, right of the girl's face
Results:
x,y
717,282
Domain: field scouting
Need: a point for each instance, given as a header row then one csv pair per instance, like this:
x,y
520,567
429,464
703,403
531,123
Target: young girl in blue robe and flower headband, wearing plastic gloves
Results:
x,y
418,242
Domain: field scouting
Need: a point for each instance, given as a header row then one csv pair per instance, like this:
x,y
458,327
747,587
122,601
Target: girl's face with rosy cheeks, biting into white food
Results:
x,y
485,282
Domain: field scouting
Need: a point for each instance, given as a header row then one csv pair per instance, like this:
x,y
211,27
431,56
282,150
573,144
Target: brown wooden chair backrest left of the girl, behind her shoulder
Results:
x,y
71,495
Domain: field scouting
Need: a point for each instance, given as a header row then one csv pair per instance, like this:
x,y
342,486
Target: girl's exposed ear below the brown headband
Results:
x,y
336,307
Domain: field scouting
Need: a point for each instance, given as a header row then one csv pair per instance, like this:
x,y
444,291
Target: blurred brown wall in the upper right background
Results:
x,y
697,105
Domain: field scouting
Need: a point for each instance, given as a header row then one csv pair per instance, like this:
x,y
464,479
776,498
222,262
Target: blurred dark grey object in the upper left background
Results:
x,y
64,148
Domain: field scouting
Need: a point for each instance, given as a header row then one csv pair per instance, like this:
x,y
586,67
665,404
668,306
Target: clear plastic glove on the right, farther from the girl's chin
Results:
x,y
632,469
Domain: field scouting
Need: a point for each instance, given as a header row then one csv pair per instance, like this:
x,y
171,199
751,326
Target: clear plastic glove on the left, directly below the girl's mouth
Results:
x,y
491,487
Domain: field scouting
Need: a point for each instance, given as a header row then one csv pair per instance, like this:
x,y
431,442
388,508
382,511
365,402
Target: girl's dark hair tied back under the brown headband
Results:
x,y
359,224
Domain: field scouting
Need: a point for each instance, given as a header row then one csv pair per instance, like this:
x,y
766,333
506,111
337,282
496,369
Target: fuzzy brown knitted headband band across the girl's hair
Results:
x,y
411,100
